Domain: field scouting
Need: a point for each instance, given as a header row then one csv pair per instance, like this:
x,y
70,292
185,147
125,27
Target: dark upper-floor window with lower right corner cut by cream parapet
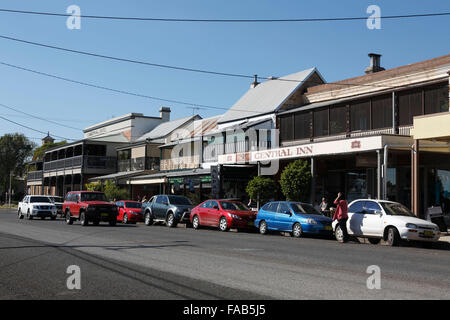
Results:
x,y
409,106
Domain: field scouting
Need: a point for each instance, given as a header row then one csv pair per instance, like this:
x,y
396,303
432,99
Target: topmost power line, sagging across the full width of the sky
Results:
x,y
406,16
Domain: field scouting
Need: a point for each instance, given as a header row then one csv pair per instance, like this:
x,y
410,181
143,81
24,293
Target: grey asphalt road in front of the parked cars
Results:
x,y
139,262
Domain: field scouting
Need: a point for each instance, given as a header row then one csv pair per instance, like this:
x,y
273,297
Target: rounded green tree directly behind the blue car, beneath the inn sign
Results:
x,y
295,181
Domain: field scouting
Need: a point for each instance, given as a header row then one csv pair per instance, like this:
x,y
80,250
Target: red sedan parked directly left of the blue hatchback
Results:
x,y
224,214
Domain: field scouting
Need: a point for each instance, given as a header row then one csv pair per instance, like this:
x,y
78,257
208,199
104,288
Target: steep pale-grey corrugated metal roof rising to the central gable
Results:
x,y
266,97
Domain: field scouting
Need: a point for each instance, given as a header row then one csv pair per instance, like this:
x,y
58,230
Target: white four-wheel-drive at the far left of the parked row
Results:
x,y
36,206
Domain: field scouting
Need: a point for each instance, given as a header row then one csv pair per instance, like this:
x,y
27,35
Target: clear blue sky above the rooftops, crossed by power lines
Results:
x,y
338,49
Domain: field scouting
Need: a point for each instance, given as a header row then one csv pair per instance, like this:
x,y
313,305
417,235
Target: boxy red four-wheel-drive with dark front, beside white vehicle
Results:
x,y
89,206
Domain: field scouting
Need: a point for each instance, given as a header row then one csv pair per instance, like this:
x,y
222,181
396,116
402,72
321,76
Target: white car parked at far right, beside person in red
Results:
x,y
387,220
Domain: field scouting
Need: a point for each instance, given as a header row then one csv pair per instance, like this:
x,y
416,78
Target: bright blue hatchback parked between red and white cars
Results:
x,y
294,217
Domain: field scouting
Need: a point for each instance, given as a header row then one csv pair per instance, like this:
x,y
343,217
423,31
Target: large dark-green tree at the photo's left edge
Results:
x,y
15,151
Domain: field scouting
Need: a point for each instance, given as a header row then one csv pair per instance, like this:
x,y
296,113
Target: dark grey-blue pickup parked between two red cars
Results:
x,y
170,209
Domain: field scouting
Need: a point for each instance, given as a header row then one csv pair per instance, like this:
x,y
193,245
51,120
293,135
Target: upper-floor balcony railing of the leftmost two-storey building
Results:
x,y
90,162
